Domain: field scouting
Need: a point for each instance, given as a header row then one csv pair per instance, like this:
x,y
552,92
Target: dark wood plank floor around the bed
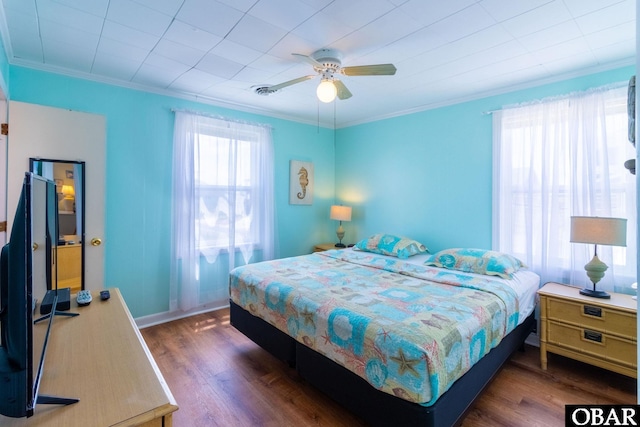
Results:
x,y
221,378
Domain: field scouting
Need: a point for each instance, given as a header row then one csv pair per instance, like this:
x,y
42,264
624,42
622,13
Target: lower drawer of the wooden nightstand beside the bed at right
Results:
x,y
594,343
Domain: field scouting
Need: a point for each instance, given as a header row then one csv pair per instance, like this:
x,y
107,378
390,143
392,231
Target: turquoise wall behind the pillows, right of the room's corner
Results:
x,y
428,175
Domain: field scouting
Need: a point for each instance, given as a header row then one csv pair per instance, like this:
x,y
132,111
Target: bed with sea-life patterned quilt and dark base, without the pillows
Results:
x,y
393,340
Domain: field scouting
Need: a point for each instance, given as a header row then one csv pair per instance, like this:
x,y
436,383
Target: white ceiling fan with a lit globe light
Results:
x,y
327,64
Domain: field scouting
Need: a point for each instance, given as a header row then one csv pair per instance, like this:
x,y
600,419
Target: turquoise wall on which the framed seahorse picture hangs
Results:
x,y
138,181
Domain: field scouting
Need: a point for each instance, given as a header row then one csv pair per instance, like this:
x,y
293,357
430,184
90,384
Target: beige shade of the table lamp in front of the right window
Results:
x,y
599,231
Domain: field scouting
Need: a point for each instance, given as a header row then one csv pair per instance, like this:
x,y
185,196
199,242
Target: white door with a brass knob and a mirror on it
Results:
x,y
54,133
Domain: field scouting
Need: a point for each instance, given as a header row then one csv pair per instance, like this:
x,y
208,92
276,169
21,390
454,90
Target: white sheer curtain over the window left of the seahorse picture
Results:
x,y
222,201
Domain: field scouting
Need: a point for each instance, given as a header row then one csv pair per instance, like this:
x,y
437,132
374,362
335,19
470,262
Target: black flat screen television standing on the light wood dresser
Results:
x,y
26,264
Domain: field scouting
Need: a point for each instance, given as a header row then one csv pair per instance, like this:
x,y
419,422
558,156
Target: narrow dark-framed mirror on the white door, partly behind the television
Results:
x,y
69,178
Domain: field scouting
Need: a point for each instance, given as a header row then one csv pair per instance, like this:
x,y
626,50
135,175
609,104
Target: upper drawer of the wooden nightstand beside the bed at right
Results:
x,y
602,319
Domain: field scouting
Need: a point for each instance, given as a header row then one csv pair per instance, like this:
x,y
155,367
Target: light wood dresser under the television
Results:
x,y
100,358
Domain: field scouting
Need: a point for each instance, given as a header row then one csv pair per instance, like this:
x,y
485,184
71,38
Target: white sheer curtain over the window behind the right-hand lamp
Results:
x,y
558,158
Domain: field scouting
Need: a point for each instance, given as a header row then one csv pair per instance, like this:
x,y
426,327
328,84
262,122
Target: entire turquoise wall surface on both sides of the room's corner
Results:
x,y
426,175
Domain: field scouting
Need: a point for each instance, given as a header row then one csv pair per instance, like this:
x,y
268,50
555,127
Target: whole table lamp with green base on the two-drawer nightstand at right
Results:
x,y
598,231
